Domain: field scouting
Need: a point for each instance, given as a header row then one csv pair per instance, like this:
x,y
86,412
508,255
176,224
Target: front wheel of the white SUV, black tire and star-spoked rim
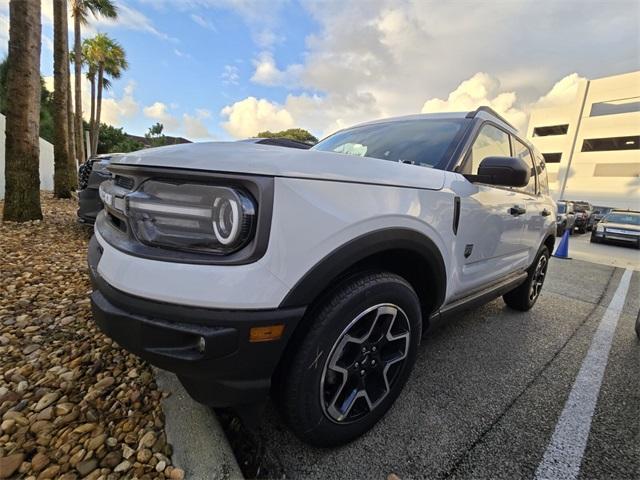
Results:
x,y
315,399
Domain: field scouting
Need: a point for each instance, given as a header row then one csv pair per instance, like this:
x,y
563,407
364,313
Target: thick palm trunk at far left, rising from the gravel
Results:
x,y
22,146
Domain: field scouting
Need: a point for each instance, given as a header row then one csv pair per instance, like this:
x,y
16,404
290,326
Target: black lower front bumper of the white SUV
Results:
x,y
208,349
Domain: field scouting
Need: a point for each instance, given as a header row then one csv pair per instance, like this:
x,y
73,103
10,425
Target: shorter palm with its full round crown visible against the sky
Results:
x,y
104,56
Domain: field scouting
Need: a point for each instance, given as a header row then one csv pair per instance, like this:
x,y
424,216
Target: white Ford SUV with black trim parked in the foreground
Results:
x,y
312,274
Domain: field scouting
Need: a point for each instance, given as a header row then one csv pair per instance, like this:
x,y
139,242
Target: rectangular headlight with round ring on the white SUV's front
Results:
x,y
191,217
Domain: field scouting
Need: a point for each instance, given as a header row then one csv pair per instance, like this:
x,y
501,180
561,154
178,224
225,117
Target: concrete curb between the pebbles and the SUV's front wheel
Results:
x,y
200,446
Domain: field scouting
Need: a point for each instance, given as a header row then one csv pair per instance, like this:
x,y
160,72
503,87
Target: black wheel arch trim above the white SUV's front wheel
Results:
x,y
323,274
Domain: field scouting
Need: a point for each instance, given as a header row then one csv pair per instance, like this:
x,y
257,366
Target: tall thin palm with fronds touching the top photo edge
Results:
x,y
80,10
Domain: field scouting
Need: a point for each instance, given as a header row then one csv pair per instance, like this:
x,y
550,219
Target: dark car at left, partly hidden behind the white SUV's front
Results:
x,y
90,175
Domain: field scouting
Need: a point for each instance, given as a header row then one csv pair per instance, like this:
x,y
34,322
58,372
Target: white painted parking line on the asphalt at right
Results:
x,y
563,456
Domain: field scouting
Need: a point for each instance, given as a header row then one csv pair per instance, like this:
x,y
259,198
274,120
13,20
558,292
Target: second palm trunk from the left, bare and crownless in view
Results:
x,y
64,169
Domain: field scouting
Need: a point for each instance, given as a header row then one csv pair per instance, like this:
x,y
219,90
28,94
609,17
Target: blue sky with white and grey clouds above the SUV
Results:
x,y
220,69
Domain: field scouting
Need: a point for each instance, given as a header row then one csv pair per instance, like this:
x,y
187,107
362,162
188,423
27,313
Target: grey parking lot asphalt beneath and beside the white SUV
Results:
x,y
489,387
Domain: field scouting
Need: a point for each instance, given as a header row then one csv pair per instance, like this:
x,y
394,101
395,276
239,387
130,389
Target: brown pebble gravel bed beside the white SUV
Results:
x,y
72,403
